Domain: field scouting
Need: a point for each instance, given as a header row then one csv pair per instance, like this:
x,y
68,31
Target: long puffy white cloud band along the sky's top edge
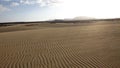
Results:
x,y
42,3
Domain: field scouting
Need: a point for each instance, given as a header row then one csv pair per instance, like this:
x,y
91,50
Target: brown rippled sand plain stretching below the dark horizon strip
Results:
x,y
90,45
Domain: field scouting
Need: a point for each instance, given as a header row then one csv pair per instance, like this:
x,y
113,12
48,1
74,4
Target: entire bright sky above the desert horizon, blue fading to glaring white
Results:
x,y
40,10
